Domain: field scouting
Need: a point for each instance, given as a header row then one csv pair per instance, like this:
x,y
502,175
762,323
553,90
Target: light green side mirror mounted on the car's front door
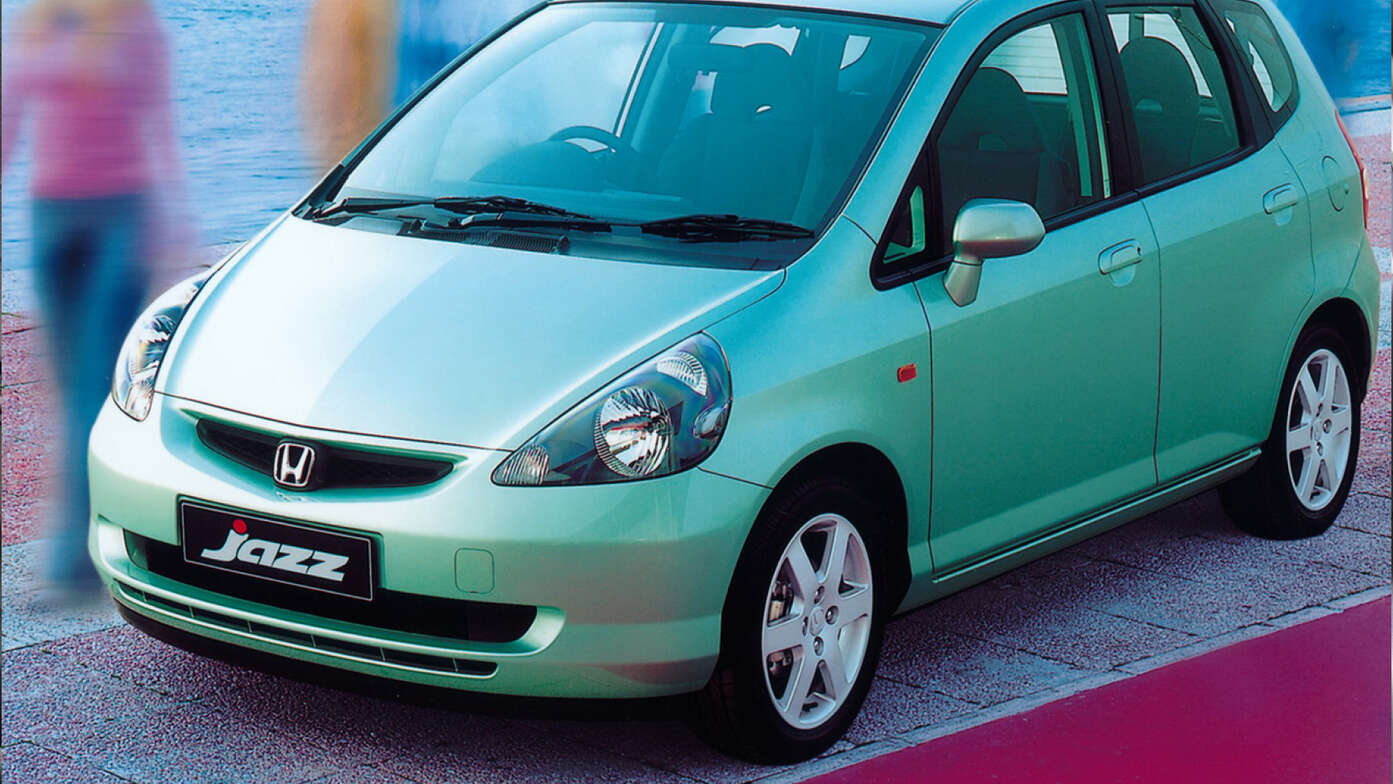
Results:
x,y
988,229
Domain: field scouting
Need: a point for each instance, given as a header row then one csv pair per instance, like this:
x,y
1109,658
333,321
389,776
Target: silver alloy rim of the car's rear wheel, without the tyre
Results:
x,y
1320,424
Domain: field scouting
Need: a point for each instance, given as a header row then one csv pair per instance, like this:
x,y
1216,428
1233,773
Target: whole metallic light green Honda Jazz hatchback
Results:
x,y
662,349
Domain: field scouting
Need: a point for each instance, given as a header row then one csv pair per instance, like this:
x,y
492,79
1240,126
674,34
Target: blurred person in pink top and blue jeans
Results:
x,y
93,77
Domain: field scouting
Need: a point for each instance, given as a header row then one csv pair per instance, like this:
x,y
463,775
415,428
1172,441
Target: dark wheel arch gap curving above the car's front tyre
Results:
x,y
877,476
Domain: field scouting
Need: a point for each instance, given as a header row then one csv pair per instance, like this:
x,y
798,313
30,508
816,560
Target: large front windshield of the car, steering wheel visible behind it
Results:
x,y
644,112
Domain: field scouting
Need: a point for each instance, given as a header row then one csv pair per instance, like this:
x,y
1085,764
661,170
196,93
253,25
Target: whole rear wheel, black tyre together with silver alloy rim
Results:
x,y
1279,499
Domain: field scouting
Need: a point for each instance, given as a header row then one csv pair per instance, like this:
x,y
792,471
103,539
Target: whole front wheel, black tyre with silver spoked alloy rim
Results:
x,y
749,707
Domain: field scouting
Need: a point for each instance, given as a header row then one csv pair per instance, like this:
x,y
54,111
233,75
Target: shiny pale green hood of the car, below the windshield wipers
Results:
x,y
391,336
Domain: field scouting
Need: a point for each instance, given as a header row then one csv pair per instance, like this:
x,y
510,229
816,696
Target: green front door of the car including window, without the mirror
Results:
x,y
1045,386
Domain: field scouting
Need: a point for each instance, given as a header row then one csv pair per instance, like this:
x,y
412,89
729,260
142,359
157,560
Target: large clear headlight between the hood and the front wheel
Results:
x,y
664,417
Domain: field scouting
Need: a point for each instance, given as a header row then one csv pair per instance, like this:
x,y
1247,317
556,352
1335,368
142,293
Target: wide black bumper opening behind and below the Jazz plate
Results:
x,y
455,619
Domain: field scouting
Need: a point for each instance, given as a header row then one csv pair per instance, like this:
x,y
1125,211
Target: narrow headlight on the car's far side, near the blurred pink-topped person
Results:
x,y
133,386
